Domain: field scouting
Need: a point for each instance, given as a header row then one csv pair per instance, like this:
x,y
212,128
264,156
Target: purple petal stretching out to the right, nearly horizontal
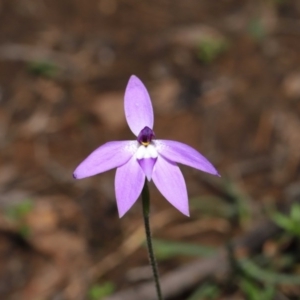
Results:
x,y
184,154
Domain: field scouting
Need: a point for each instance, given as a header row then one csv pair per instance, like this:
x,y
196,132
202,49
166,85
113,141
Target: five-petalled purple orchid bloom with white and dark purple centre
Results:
x,y
144,157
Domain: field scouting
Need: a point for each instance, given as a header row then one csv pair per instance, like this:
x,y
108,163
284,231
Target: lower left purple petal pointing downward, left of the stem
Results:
x,y
129,182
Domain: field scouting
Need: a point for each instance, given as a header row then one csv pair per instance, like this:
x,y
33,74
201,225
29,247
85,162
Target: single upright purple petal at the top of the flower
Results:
x,y
138,106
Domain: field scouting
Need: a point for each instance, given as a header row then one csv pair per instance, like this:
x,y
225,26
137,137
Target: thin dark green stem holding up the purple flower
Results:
x,y
146,209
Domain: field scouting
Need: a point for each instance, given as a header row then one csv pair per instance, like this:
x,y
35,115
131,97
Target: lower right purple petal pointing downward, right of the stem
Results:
x,y
170,182
